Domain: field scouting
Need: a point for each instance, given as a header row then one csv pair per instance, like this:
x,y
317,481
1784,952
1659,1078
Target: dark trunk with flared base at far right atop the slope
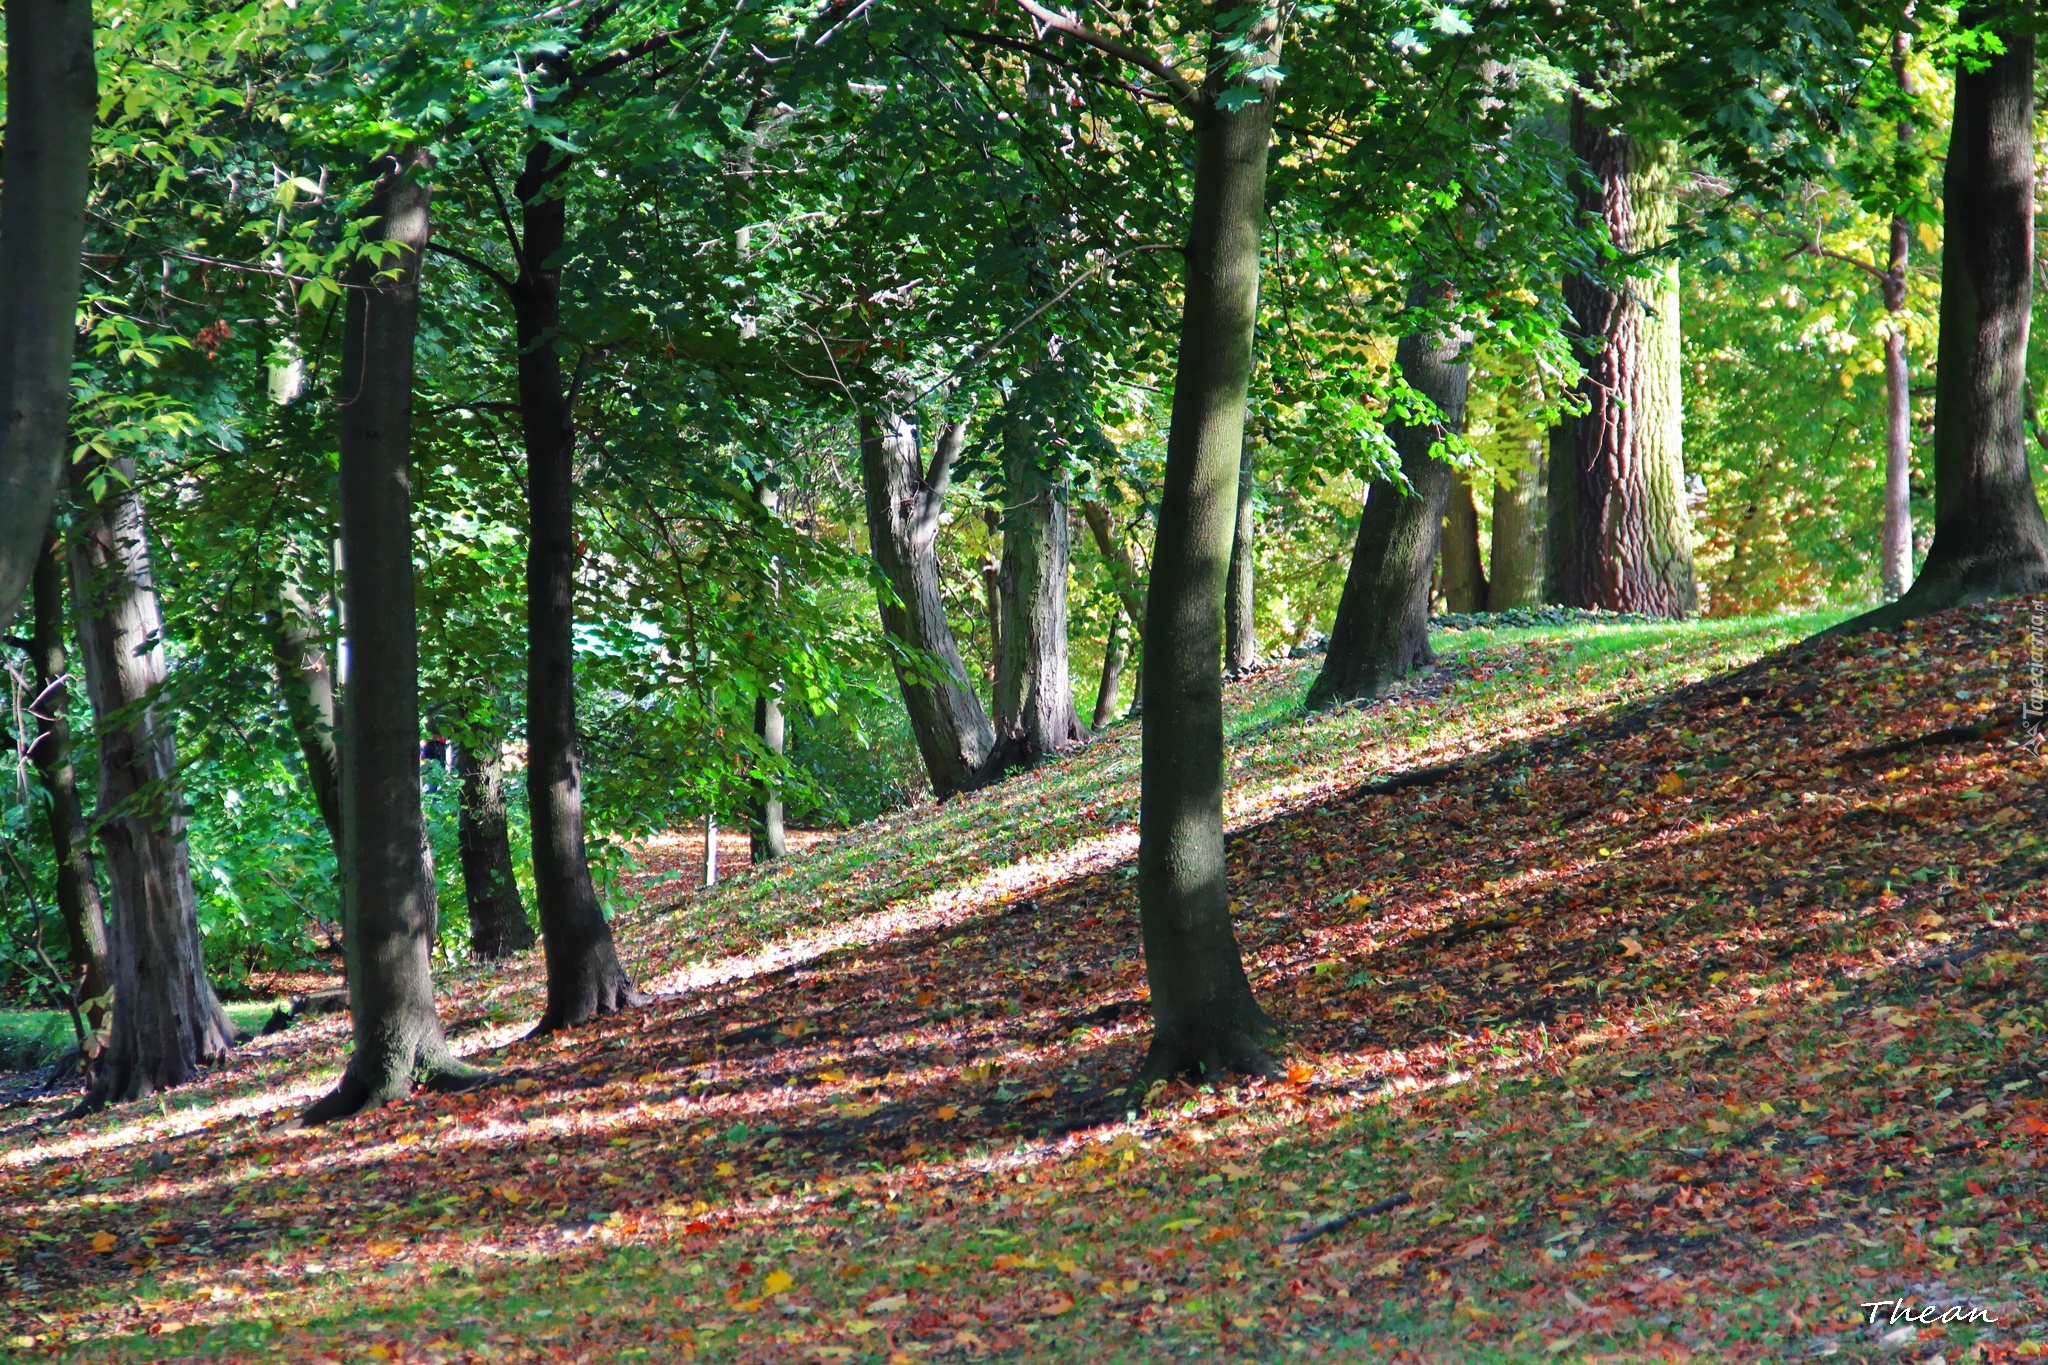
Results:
x,y
1990,539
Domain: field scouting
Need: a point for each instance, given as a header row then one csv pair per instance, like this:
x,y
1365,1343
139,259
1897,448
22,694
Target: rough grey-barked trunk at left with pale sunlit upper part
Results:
x,y
167,1022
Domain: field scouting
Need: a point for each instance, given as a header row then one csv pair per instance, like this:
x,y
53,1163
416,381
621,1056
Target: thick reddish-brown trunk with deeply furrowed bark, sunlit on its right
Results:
x,y
1619,529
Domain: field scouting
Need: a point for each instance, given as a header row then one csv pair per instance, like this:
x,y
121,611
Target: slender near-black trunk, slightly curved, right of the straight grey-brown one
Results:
x,y
585,977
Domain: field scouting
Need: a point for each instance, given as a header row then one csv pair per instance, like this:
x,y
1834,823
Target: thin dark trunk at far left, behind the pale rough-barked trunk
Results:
x,y
79,891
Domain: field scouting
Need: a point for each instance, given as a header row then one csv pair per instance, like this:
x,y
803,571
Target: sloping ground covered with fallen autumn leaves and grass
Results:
x,y
1695,1010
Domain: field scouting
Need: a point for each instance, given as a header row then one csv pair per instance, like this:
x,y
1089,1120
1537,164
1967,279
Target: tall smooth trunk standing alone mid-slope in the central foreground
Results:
x,y
1205,1020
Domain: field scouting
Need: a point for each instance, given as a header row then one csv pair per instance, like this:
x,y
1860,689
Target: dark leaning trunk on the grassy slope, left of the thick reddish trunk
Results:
x,y
1383,619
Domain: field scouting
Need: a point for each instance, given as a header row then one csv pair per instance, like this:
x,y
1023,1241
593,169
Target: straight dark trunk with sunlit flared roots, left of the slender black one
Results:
x,y
388,895
